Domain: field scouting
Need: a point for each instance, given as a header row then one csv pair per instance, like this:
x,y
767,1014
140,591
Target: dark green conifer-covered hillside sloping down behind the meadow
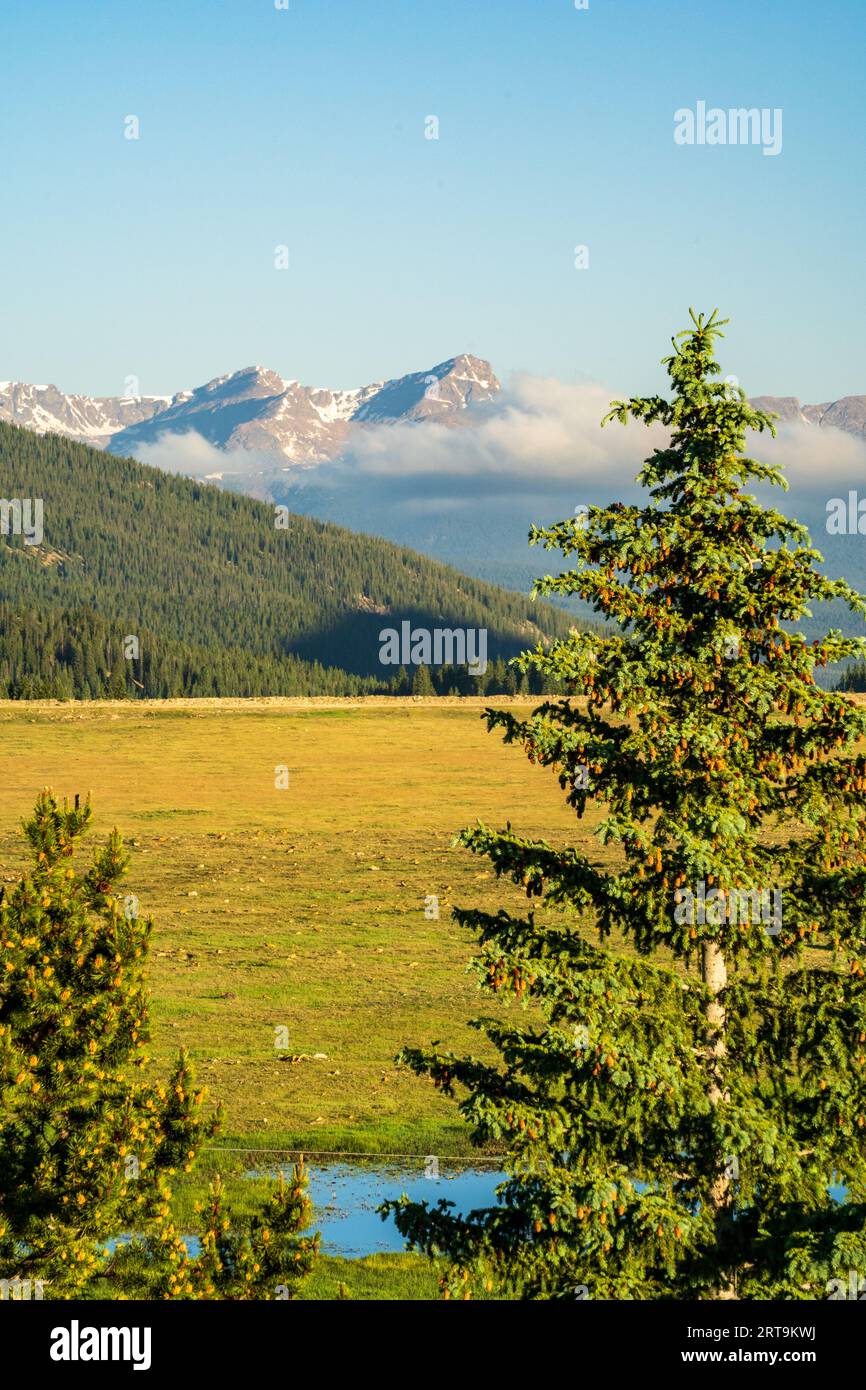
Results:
x,y
220,598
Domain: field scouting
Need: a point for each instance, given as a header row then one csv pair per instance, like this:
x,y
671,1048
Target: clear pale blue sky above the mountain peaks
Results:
x,y
263,127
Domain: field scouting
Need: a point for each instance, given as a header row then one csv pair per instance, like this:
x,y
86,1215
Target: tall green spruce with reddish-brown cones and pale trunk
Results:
x,y
678,1113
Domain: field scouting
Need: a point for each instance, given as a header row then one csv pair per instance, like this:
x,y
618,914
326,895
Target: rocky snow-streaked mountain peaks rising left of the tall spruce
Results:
x,y
254,411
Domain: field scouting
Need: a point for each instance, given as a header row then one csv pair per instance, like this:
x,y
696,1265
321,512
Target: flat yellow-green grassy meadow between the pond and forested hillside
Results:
x,y
300,908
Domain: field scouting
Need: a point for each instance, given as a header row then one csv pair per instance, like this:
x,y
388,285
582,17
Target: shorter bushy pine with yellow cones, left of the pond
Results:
x,y
88,1146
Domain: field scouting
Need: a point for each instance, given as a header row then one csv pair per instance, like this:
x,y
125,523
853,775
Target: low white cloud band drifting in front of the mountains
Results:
x,y
541,436
